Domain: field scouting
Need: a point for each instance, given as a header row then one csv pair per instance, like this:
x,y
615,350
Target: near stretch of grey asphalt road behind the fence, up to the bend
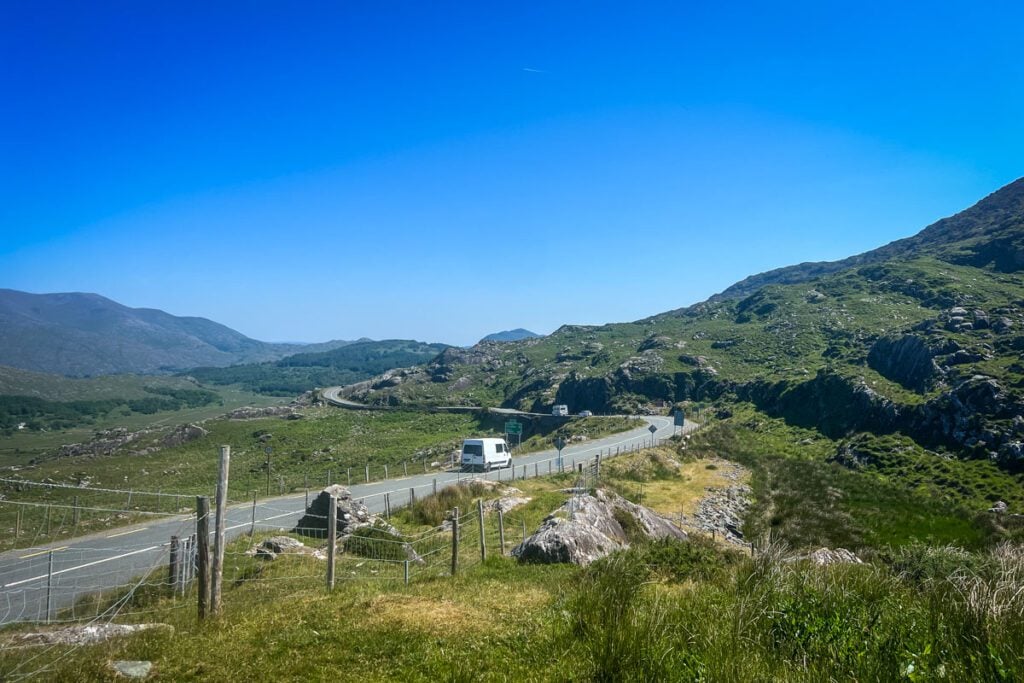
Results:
x,y
108,561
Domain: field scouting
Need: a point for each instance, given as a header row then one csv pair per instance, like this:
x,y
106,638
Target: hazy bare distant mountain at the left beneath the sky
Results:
x,y
79,334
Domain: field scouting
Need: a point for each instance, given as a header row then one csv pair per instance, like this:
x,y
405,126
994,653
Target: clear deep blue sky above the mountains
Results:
x,y
431,170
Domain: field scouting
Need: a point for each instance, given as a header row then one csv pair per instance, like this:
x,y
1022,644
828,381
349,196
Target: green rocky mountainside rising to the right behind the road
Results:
x,y
924,336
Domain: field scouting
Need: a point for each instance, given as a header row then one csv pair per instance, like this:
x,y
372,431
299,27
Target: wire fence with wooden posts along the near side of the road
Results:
x,y
124,577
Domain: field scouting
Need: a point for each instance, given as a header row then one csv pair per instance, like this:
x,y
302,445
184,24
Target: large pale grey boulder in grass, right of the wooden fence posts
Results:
x,y
589,528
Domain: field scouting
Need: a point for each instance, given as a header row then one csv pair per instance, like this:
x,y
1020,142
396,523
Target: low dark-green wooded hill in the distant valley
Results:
x,y
304,372
